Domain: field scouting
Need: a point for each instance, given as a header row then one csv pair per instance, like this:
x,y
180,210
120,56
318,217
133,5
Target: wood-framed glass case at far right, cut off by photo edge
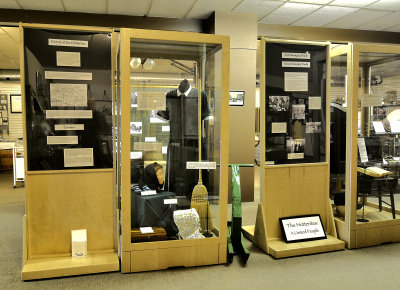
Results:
x,y
364,183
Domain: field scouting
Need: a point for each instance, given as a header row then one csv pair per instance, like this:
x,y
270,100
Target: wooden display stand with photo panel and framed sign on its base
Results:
x,y
294,161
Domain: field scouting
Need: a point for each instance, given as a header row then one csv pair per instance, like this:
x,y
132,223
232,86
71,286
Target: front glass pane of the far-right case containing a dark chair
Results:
x,y
379,117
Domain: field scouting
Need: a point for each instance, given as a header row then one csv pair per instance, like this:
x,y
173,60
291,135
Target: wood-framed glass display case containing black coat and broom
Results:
x,y
174,145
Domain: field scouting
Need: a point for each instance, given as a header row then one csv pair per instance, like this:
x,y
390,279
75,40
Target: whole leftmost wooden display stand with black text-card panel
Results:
x,y
67,101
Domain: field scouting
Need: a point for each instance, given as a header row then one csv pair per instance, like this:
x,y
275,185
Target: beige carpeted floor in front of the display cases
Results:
x,y
367,268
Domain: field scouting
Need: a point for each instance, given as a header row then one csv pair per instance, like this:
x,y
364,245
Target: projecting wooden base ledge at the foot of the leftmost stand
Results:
x,y
69,266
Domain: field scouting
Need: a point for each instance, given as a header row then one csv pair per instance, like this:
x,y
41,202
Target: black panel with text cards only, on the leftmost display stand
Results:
x,y
68,99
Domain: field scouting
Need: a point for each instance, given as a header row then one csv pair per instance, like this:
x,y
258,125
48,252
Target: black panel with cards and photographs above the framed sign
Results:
x,y
295,103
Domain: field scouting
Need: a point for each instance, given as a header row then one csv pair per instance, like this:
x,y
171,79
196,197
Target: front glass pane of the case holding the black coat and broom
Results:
x,y
164,126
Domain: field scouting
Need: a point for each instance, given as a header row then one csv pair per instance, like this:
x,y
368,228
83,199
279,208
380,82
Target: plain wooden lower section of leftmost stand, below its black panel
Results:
x,y
71,200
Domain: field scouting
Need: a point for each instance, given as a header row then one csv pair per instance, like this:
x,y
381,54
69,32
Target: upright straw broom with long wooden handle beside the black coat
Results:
x,y
200,195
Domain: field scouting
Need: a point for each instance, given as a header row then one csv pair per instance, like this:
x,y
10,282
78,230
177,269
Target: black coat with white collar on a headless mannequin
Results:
x,y
182,113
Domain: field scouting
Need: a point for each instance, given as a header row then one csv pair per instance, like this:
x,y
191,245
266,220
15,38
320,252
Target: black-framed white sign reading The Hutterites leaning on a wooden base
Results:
x,y
302,228
